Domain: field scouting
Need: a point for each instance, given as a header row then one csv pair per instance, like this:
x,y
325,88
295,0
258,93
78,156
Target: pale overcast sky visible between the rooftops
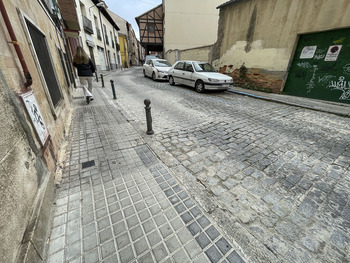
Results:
x,y
129,9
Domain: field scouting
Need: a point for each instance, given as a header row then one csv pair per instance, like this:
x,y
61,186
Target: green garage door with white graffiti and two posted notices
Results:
x,y
321,67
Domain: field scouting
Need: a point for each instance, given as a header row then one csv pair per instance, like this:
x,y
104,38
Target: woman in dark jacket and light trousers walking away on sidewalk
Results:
x,y
86,70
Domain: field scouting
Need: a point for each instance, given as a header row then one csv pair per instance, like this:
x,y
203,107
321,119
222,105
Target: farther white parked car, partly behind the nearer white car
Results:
x,y
156,69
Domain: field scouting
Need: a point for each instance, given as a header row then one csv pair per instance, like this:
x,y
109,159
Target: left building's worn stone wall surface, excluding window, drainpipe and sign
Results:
x,y
25,167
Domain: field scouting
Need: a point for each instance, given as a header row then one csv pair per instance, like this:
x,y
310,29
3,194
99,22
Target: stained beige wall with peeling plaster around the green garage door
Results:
x,y
262,34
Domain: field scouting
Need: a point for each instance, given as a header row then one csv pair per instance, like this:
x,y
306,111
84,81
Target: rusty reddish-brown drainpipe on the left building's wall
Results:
x,y
16,45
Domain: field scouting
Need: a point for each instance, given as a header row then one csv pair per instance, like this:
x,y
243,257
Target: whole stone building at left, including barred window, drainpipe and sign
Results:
x,y
36,84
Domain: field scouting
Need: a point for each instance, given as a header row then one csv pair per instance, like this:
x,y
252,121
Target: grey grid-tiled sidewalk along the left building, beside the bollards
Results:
x,y
118,203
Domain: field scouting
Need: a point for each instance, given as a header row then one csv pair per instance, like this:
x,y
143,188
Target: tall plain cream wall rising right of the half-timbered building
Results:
x,y
190,24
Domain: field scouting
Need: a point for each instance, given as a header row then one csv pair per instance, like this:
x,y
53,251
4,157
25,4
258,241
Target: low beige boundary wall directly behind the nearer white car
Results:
x,y
198,54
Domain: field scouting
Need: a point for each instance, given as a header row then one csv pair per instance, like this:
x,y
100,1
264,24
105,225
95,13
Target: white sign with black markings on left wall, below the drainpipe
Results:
x,y
35,114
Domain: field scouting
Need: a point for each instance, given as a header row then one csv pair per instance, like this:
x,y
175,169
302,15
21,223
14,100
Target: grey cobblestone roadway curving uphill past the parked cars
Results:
x,y
274,177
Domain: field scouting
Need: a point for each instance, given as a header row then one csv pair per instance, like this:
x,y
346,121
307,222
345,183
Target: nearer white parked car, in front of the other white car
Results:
x,y
200,75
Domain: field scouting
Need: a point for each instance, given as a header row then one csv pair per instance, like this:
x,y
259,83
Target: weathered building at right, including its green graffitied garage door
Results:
x,y
298,47
